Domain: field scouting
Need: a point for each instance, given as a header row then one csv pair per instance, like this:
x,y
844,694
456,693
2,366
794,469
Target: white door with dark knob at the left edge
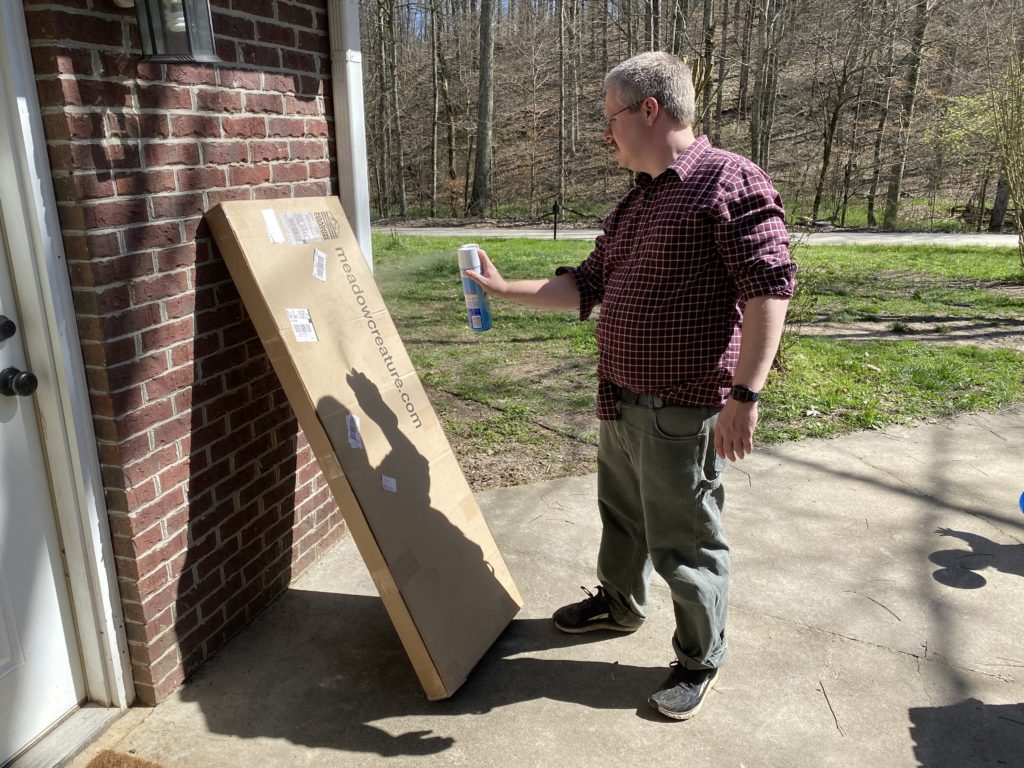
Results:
x,y
40,669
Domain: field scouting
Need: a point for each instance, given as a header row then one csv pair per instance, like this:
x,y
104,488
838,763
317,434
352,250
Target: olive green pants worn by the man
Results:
x,y
661,498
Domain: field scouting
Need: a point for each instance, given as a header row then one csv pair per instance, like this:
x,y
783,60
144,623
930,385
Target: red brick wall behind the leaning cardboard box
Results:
x,y
216,500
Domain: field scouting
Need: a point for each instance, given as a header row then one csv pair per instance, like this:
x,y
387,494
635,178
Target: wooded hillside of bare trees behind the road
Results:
x,y
878,113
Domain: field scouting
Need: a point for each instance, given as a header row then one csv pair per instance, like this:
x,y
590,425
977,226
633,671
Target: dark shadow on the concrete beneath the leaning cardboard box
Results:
x,y
327,670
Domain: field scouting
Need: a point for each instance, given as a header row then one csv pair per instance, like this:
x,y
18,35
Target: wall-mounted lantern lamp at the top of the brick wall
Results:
x,y
176,30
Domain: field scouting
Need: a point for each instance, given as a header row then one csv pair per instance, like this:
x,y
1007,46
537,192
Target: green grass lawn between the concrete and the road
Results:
x,y
536,369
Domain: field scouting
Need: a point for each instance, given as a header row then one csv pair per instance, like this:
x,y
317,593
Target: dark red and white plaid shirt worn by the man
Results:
x,y
680,257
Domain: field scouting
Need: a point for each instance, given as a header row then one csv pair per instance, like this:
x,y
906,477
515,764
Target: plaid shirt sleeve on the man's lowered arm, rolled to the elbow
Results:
x,y
752,236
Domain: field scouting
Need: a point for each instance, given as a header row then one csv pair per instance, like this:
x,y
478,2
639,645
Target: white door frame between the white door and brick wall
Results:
x,y
42,286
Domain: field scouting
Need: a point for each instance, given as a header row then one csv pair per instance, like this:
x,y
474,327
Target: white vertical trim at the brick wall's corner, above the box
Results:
x,y
350,119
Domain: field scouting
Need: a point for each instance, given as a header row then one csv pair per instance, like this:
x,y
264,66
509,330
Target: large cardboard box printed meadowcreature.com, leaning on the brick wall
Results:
x,y
379,443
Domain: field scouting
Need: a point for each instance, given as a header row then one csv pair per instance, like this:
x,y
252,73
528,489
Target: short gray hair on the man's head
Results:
x,y
657,74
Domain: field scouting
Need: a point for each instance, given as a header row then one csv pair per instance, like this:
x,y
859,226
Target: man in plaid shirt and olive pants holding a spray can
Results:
x,y
694,276
